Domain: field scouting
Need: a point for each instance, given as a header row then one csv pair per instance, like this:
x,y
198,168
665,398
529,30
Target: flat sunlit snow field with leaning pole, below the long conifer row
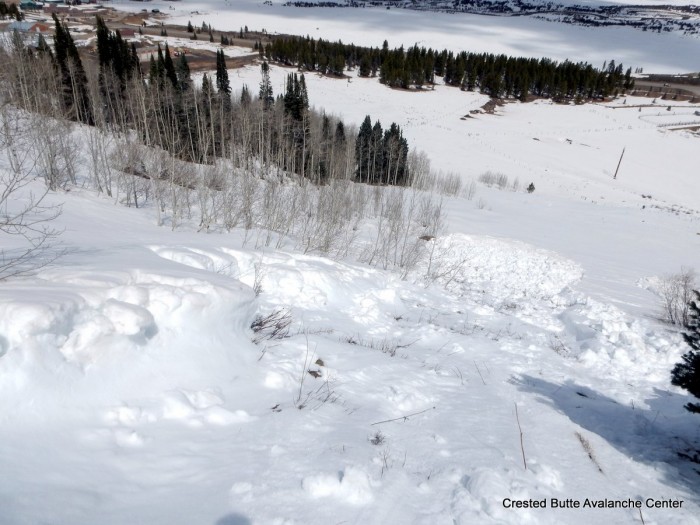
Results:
x,y
564,150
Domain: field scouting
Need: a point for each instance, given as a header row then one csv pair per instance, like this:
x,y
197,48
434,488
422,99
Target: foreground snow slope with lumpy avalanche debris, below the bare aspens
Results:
x,y
132,391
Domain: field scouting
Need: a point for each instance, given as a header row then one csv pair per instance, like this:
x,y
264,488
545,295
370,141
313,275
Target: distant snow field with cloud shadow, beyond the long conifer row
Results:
x,y
516,36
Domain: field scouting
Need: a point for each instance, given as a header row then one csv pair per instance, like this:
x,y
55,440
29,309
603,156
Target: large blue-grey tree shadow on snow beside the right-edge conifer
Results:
x,y
664,434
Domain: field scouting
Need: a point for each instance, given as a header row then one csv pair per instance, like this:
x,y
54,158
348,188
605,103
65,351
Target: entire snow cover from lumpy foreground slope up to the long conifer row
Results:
x,y
133,389
